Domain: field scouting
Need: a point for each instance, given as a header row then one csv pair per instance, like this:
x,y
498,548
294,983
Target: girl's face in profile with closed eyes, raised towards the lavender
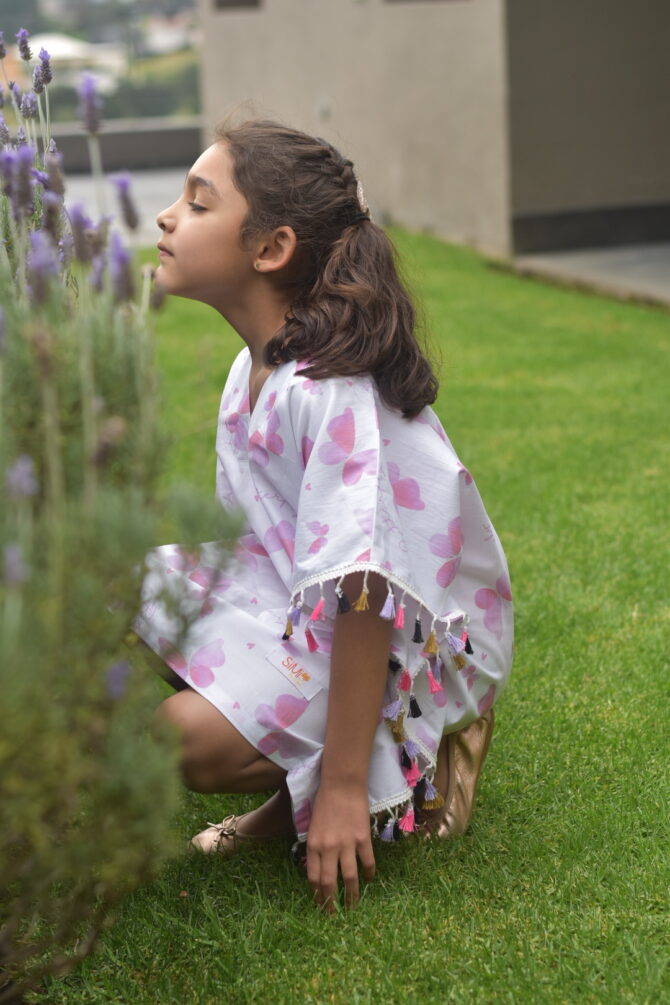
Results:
x,y
200,252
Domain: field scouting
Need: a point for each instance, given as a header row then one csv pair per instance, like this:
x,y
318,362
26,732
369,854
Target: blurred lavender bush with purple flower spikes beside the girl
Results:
x,y
87,789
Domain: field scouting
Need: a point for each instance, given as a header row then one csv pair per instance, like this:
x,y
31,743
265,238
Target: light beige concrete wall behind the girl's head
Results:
x,y
415,93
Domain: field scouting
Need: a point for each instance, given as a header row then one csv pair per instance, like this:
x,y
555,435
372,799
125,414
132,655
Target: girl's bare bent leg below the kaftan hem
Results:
x,y
216,758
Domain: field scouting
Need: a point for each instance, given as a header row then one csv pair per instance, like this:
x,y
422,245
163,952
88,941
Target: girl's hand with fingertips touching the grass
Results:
x,y
339,833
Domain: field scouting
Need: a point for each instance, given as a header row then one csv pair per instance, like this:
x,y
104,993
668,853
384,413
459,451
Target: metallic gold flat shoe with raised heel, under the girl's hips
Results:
x,y
467,752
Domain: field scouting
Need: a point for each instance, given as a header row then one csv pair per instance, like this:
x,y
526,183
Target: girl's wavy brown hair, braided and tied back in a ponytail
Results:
x,y
350,313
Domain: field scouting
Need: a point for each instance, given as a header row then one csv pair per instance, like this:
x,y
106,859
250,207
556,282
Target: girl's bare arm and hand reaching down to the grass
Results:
x,y
340,829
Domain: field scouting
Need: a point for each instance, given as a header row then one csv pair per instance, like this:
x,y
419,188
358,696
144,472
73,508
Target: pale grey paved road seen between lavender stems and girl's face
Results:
x,y
153,191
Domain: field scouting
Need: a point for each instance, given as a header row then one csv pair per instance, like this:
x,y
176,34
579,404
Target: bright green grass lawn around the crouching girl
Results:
x,y
558,404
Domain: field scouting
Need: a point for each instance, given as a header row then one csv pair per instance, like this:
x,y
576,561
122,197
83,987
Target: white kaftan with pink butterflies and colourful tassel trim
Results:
x,y
331,482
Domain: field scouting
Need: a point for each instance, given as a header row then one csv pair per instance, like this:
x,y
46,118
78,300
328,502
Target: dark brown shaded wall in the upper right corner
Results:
x,y
590,107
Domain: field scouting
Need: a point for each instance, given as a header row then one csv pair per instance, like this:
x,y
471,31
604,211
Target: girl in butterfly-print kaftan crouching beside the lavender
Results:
x,y
351,658
